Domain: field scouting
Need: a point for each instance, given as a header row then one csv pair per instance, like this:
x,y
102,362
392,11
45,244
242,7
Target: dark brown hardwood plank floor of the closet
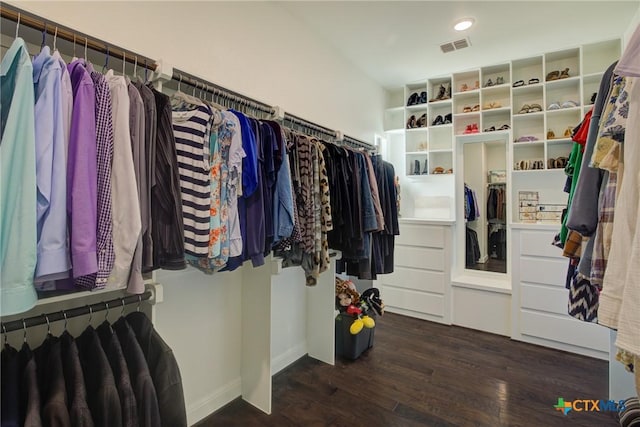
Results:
x,y
425,374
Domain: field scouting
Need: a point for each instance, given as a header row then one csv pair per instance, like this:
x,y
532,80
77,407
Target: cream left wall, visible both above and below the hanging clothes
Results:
x,y
257,49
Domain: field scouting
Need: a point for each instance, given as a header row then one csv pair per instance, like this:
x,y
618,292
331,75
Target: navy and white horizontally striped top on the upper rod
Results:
x,y
191,131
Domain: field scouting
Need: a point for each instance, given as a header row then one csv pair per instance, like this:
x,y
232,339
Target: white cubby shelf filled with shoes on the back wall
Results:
x,y
586,65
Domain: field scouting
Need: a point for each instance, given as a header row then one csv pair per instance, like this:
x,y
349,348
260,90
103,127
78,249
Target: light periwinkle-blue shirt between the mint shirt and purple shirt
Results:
x,y
51,166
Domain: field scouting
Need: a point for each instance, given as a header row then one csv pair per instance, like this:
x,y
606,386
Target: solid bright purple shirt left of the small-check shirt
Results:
x,y
82,168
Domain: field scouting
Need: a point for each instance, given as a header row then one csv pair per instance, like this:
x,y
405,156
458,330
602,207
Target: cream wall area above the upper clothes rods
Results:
x,y
255,48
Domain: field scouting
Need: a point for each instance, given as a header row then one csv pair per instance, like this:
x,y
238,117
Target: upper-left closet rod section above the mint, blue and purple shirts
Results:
x,y
80,39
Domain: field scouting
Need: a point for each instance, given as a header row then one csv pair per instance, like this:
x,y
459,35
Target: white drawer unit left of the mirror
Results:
x,y
420,285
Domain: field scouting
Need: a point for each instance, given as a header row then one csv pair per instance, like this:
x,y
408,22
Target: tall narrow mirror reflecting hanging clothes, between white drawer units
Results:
x,y
485,204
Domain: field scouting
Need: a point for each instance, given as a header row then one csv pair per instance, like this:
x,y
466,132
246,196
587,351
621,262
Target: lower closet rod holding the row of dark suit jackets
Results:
x,y
30,322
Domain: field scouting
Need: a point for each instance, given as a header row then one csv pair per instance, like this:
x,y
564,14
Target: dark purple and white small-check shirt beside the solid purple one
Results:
x,y
104,142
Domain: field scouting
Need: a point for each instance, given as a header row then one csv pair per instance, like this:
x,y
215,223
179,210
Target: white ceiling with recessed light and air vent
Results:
x,y
397,42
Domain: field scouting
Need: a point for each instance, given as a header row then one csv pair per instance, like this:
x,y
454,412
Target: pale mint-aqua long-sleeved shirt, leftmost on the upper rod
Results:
x,y
18,220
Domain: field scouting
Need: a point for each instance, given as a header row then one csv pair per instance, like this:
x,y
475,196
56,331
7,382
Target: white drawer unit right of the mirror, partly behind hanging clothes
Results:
x,y
540,299
